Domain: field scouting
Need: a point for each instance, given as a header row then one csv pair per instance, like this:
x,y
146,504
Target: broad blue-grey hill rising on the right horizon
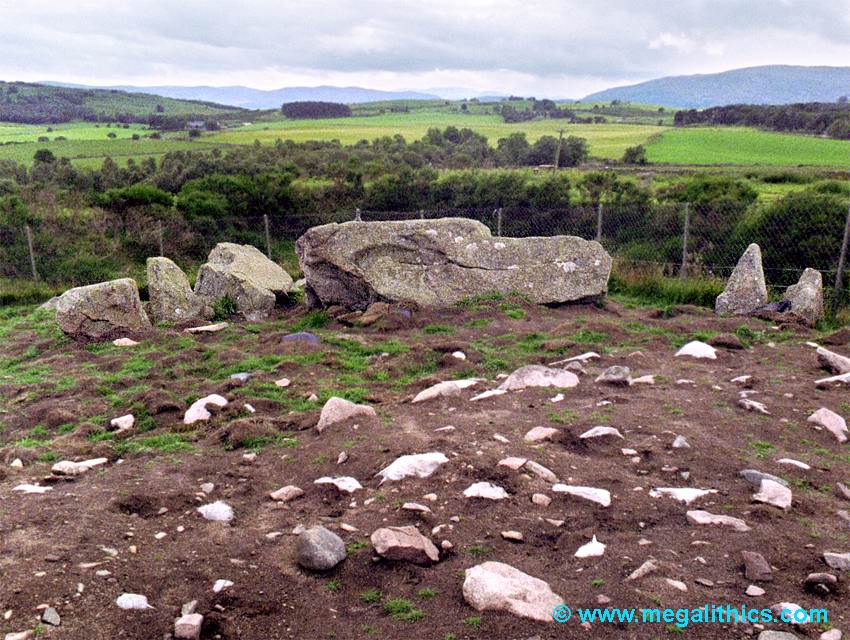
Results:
x,y
772,84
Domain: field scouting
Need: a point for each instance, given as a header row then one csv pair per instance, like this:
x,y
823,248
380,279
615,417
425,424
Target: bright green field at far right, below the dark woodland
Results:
x,y
741,146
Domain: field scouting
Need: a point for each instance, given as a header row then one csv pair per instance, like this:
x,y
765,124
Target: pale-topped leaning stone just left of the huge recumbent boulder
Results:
x,y
246,276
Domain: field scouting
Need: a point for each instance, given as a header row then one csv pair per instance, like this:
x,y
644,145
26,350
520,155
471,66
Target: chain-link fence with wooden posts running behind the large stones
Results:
x,y
672,239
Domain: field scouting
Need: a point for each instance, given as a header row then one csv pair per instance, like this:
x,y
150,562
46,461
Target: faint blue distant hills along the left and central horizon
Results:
x,y
248,98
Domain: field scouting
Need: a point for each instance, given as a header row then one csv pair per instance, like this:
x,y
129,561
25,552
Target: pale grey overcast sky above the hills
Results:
x,y
559,48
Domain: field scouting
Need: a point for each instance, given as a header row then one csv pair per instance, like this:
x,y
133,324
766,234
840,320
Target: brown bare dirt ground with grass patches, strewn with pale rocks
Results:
x,y
100,530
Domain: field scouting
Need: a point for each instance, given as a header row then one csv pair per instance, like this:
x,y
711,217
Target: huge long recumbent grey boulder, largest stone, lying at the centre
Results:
x,y
436,263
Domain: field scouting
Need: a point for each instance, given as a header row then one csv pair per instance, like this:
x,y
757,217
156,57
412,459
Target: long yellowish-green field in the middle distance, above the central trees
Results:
x,y
605,140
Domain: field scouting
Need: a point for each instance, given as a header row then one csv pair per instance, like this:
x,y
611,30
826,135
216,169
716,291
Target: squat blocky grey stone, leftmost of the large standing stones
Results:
x,y
102,311
